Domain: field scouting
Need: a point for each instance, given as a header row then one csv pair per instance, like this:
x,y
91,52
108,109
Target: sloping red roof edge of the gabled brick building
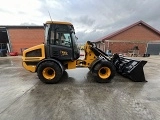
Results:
x,y
107,37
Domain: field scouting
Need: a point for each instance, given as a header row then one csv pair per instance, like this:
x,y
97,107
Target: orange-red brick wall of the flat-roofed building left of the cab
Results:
x,y
22,38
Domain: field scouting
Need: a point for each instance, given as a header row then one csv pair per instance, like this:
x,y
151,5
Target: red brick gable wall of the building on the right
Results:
x,y
139,36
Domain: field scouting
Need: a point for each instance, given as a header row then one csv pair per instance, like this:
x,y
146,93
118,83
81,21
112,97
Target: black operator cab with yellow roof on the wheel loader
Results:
x,y
60,41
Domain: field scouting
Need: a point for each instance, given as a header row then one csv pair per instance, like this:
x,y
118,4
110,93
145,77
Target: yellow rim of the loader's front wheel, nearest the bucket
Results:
x,y
104,72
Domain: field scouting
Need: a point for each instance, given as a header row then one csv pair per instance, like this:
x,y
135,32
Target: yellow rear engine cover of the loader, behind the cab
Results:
x,y
26,59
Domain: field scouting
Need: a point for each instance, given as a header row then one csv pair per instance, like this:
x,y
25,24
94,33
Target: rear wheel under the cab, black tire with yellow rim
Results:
x,y
49,72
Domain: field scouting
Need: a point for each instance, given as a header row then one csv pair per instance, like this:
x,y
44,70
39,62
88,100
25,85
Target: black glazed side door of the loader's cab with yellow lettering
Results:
x,y
61,46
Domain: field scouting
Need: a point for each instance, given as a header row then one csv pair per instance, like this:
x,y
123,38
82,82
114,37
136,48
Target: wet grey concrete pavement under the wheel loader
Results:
x,y
78,96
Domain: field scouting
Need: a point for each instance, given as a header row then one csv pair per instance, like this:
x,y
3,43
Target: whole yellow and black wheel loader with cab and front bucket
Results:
x,y
60,52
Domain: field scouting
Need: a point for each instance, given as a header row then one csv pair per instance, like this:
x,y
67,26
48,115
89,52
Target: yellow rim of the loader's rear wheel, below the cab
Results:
x,y
48,73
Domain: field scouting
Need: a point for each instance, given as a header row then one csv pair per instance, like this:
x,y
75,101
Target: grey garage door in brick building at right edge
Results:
x,y
153,48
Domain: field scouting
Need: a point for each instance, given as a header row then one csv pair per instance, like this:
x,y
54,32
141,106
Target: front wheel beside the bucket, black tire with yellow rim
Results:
x,y
104,72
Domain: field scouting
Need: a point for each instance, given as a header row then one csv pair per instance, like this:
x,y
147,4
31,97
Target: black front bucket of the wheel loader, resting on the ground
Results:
x,y
133,69
